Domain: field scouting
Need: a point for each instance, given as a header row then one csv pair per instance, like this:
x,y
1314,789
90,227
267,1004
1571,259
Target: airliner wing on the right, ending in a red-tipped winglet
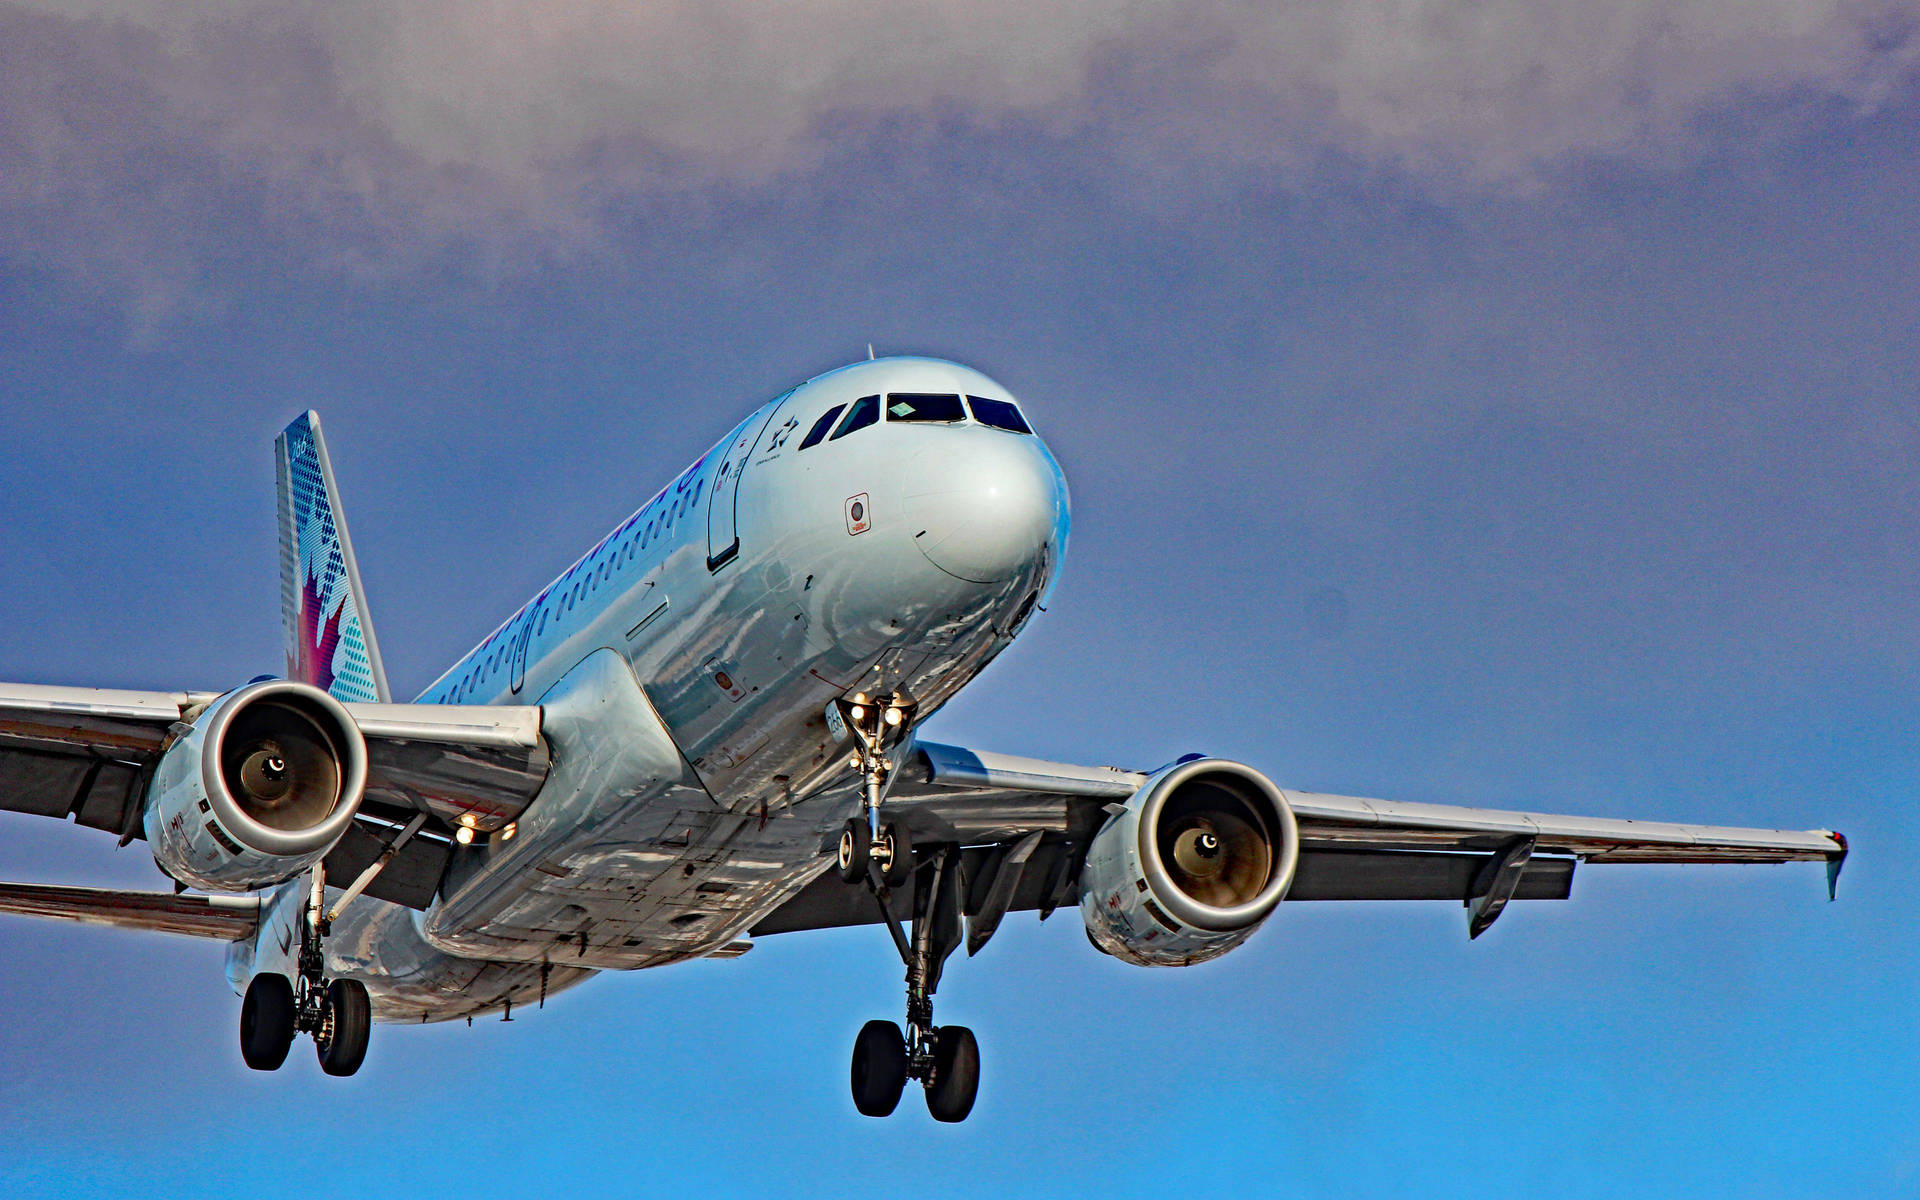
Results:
x,y
1351,848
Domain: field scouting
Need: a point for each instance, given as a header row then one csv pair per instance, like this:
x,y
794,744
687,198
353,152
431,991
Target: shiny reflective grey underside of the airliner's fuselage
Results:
x,y
644,875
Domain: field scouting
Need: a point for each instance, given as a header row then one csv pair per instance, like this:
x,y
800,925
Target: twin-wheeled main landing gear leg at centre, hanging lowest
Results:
x,y
944,1059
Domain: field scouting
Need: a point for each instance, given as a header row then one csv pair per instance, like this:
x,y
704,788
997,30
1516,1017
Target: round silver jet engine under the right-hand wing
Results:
x,y
1199,857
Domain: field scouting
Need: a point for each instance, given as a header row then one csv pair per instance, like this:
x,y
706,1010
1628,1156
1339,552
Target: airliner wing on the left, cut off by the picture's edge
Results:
x,y
89,754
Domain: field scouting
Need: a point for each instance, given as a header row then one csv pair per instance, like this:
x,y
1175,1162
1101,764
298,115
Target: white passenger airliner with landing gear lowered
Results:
x,y
708,732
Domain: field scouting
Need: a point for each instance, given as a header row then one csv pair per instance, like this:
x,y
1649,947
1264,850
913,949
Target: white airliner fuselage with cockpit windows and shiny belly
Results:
x,y
684,667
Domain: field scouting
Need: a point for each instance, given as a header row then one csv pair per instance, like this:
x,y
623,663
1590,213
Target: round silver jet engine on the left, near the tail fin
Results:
x,y
262,786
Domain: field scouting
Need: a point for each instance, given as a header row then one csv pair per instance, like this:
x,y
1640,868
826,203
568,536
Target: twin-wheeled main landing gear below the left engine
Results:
x,y
337,1013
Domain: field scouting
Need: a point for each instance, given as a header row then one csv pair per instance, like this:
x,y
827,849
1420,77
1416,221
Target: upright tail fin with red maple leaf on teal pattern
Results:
x,y
329,635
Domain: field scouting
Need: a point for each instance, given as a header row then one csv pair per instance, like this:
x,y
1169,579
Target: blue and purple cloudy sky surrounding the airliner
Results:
x,y
1462,404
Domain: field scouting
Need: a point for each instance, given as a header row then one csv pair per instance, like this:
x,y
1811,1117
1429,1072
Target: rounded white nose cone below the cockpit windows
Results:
x,y
986,504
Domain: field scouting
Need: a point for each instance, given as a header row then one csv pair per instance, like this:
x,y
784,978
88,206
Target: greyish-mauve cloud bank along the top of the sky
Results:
x,y
350,120
